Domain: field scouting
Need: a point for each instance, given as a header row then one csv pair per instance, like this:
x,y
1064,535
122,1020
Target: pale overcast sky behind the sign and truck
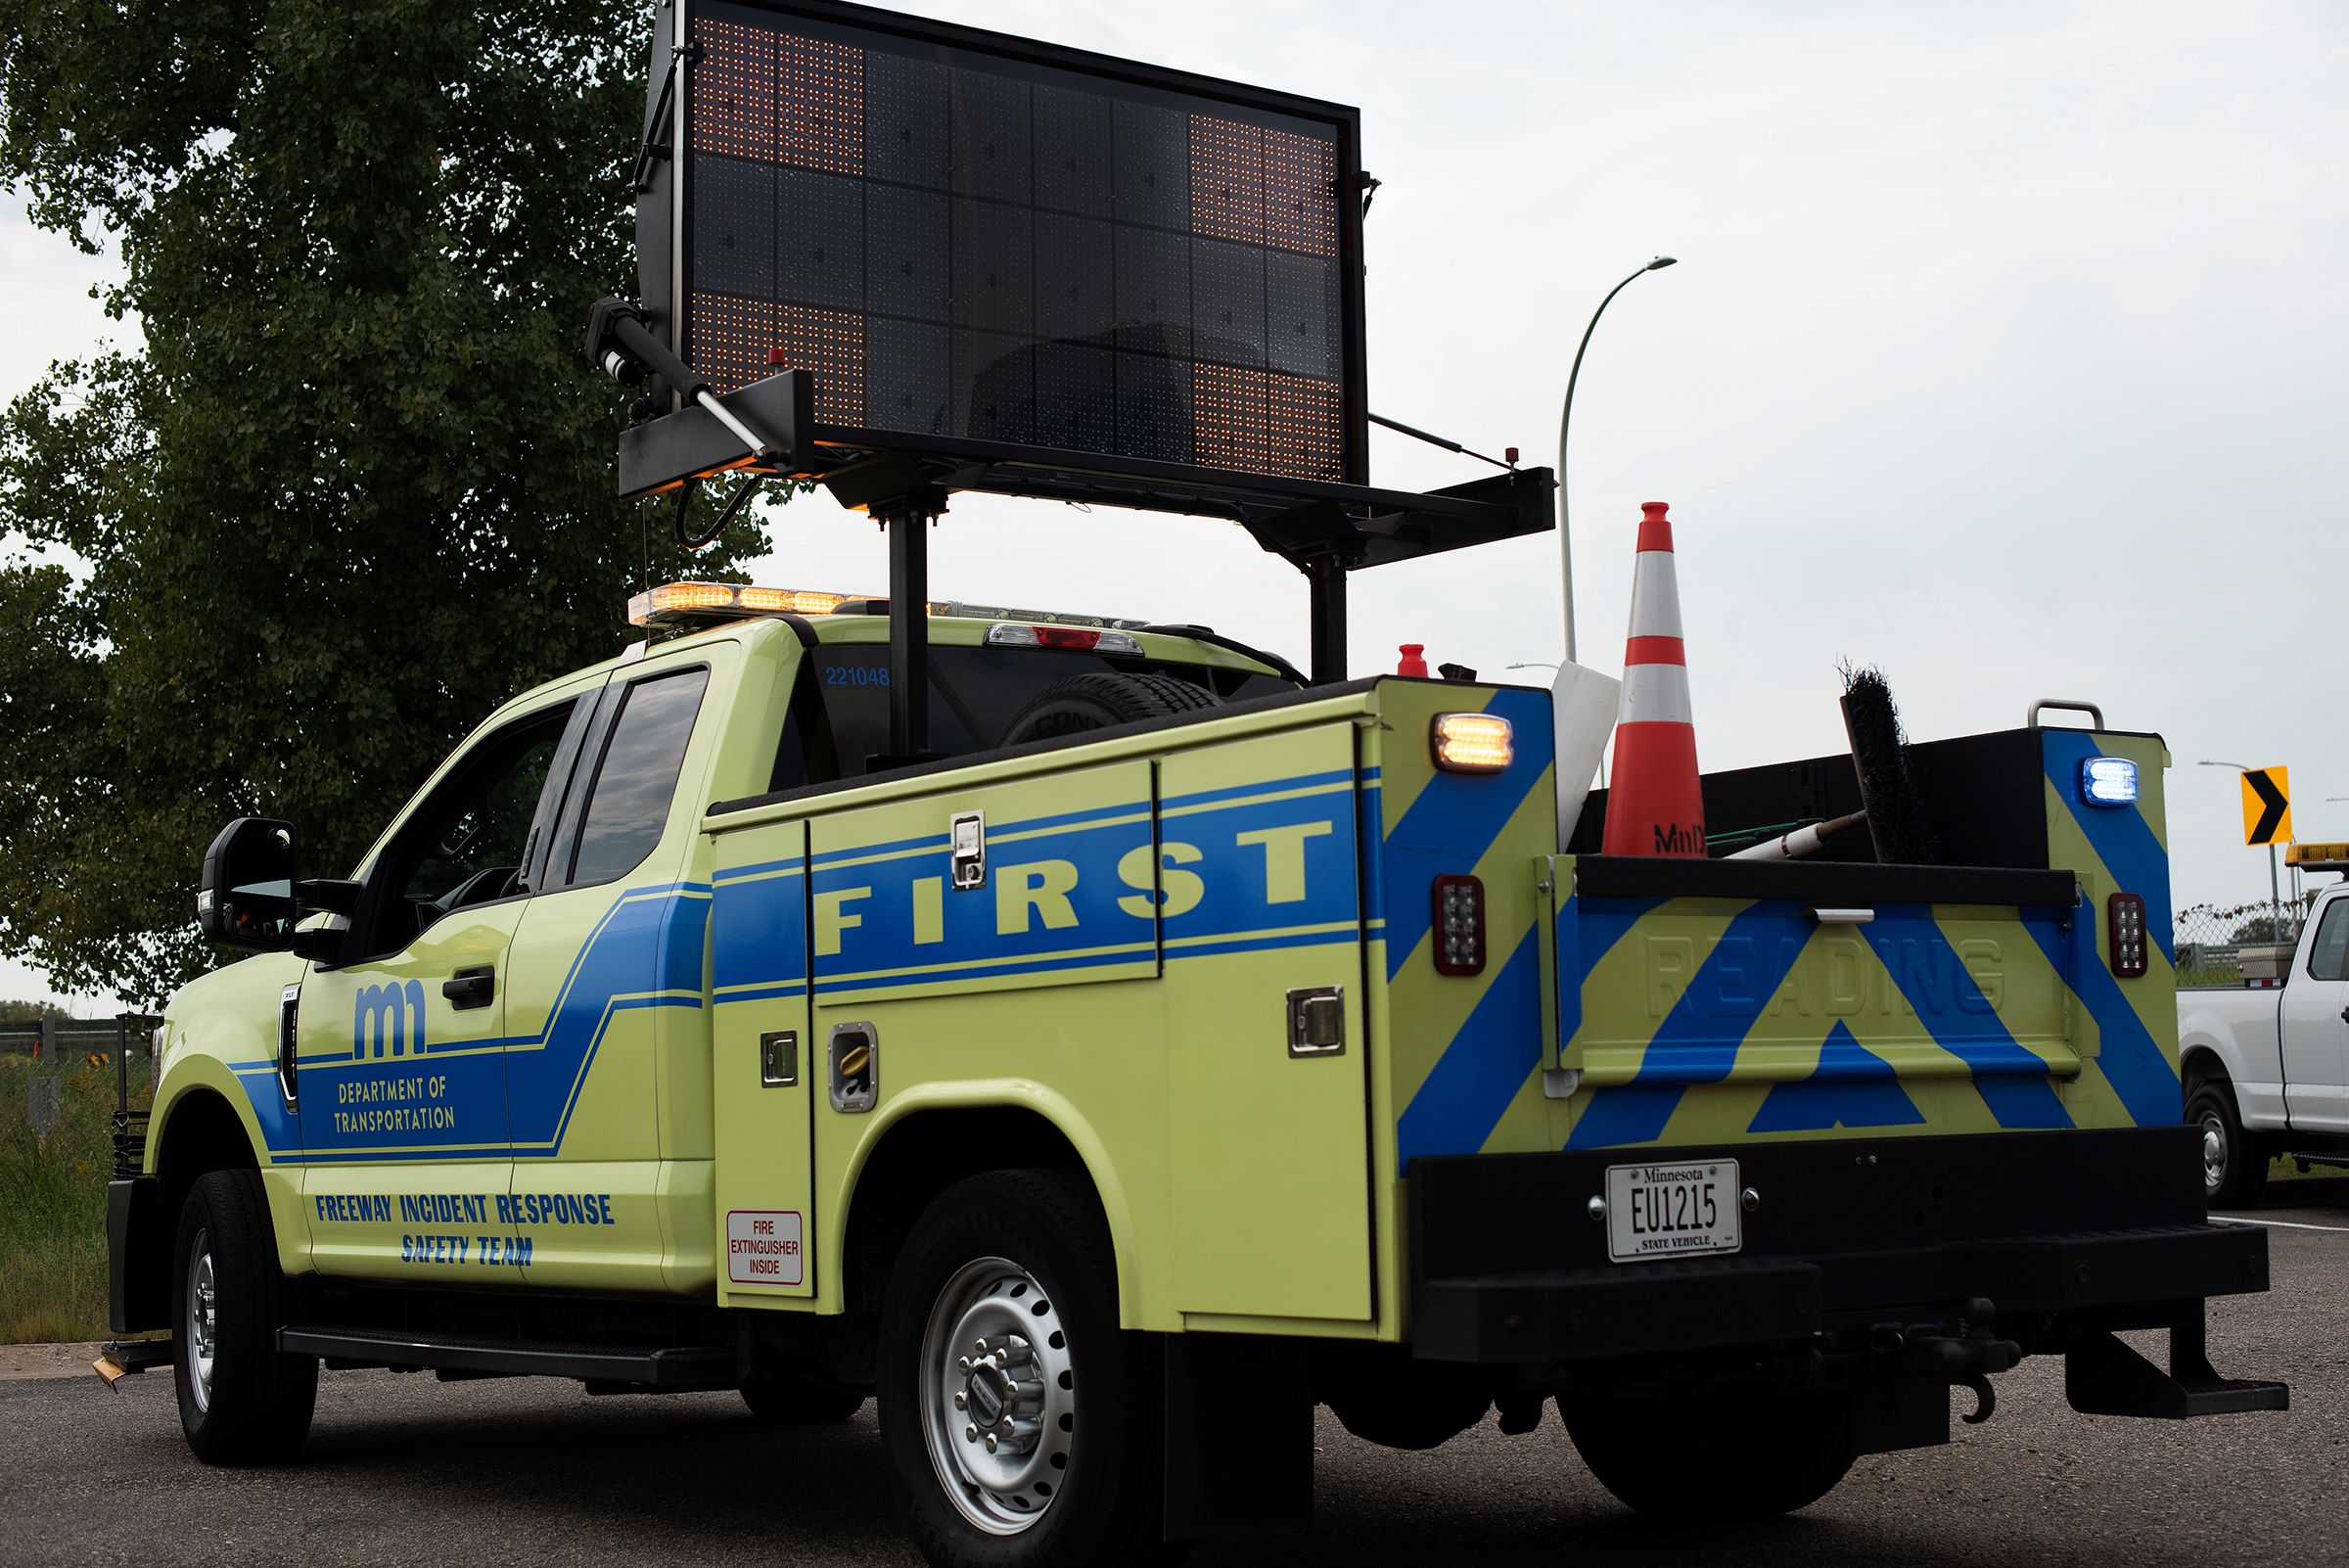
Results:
x,y
2007,353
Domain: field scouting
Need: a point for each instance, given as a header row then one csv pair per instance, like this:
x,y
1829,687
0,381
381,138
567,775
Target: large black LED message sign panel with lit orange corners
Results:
x,y
1004,250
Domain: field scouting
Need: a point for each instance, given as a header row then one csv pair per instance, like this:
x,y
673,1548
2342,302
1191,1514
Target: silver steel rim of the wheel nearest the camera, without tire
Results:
x,y
997,1395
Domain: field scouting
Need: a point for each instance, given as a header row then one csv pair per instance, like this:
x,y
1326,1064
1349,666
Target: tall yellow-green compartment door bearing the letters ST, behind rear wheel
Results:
x,y
1270,1144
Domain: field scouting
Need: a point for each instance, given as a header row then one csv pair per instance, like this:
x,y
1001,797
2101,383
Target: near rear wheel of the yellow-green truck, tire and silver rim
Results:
x,y
1023,1426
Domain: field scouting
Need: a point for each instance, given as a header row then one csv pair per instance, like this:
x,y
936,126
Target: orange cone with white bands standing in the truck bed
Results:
x,y
1655,804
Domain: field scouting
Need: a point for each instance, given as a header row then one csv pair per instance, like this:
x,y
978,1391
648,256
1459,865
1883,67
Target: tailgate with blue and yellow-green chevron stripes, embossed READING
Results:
x,y
1737,1001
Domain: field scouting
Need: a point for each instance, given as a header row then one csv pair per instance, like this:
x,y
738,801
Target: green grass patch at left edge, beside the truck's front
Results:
x,y
53,1203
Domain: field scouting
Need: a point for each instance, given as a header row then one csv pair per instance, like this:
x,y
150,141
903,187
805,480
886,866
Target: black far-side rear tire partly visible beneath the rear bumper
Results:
x,y
1723,1454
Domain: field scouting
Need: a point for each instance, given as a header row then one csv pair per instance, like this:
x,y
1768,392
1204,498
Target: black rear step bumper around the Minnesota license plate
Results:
x,y
2068,1234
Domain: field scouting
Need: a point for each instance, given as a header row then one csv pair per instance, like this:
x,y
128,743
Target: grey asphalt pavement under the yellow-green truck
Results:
x,y
513,1473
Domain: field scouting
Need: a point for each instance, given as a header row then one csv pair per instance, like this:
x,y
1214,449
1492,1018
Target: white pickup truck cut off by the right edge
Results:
x,y
2268,1067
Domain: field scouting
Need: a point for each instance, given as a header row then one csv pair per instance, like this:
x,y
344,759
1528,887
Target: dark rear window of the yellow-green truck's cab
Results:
x,y
840,712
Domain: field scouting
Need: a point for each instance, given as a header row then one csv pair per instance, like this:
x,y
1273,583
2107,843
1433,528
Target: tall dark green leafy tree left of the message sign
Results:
x,y
358,487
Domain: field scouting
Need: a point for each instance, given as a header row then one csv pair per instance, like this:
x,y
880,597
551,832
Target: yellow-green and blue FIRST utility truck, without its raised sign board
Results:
x,y
1176,1053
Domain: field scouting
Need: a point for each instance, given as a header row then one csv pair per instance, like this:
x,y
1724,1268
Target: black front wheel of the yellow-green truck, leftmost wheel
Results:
x,y
241,1400
